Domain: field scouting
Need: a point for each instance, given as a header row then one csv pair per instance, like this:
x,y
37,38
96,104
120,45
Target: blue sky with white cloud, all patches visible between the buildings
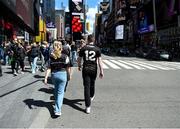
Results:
x,y
92,4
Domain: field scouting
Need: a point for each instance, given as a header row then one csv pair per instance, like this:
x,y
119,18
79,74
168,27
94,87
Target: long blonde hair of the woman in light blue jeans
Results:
x,y
57,48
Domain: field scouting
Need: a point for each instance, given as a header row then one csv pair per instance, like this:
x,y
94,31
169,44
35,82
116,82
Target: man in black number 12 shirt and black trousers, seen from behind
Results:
x,y
90,55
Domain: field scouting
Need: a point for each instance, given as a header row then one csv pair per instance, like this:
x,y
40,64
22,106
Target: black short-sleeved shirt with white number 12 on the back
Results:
x,y
90,53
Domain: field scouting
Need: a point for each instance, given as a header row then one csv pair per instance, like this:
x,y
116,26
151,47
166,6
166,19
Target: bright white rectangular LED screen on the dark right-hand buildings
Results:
x,y
119,34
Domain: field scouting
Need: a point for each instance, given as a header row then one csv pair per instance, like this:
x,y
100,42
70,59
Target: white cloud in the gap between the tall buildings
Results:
x,y
91,17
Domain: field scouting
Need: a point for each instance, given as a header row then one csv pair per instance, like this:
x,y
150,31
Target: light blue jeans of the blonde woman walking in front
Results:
x,y
59,80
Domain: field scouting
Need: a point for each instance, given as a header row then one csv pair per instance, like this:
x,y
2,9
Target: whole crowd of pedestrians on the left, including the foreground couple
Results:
x,y
56,59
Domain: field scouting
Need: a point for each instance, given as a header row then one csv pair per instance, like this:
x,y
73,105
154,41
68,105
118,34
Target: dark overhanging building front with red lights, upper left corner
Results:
x,y
19,18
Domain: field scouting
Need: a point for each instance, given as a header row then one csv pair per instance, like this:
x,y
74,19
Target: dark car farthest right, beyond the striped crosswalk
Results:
x,y
159,54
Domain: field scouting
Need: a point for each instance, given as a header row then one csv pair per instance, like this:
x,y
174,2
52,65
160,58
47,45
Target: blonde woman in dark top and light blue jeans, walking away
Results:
x,y
58,67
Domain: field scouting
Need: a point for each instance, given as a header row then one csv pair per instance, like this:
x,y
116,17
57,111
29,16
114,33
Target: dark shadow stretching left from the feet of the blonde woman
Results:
x,y
33,104
